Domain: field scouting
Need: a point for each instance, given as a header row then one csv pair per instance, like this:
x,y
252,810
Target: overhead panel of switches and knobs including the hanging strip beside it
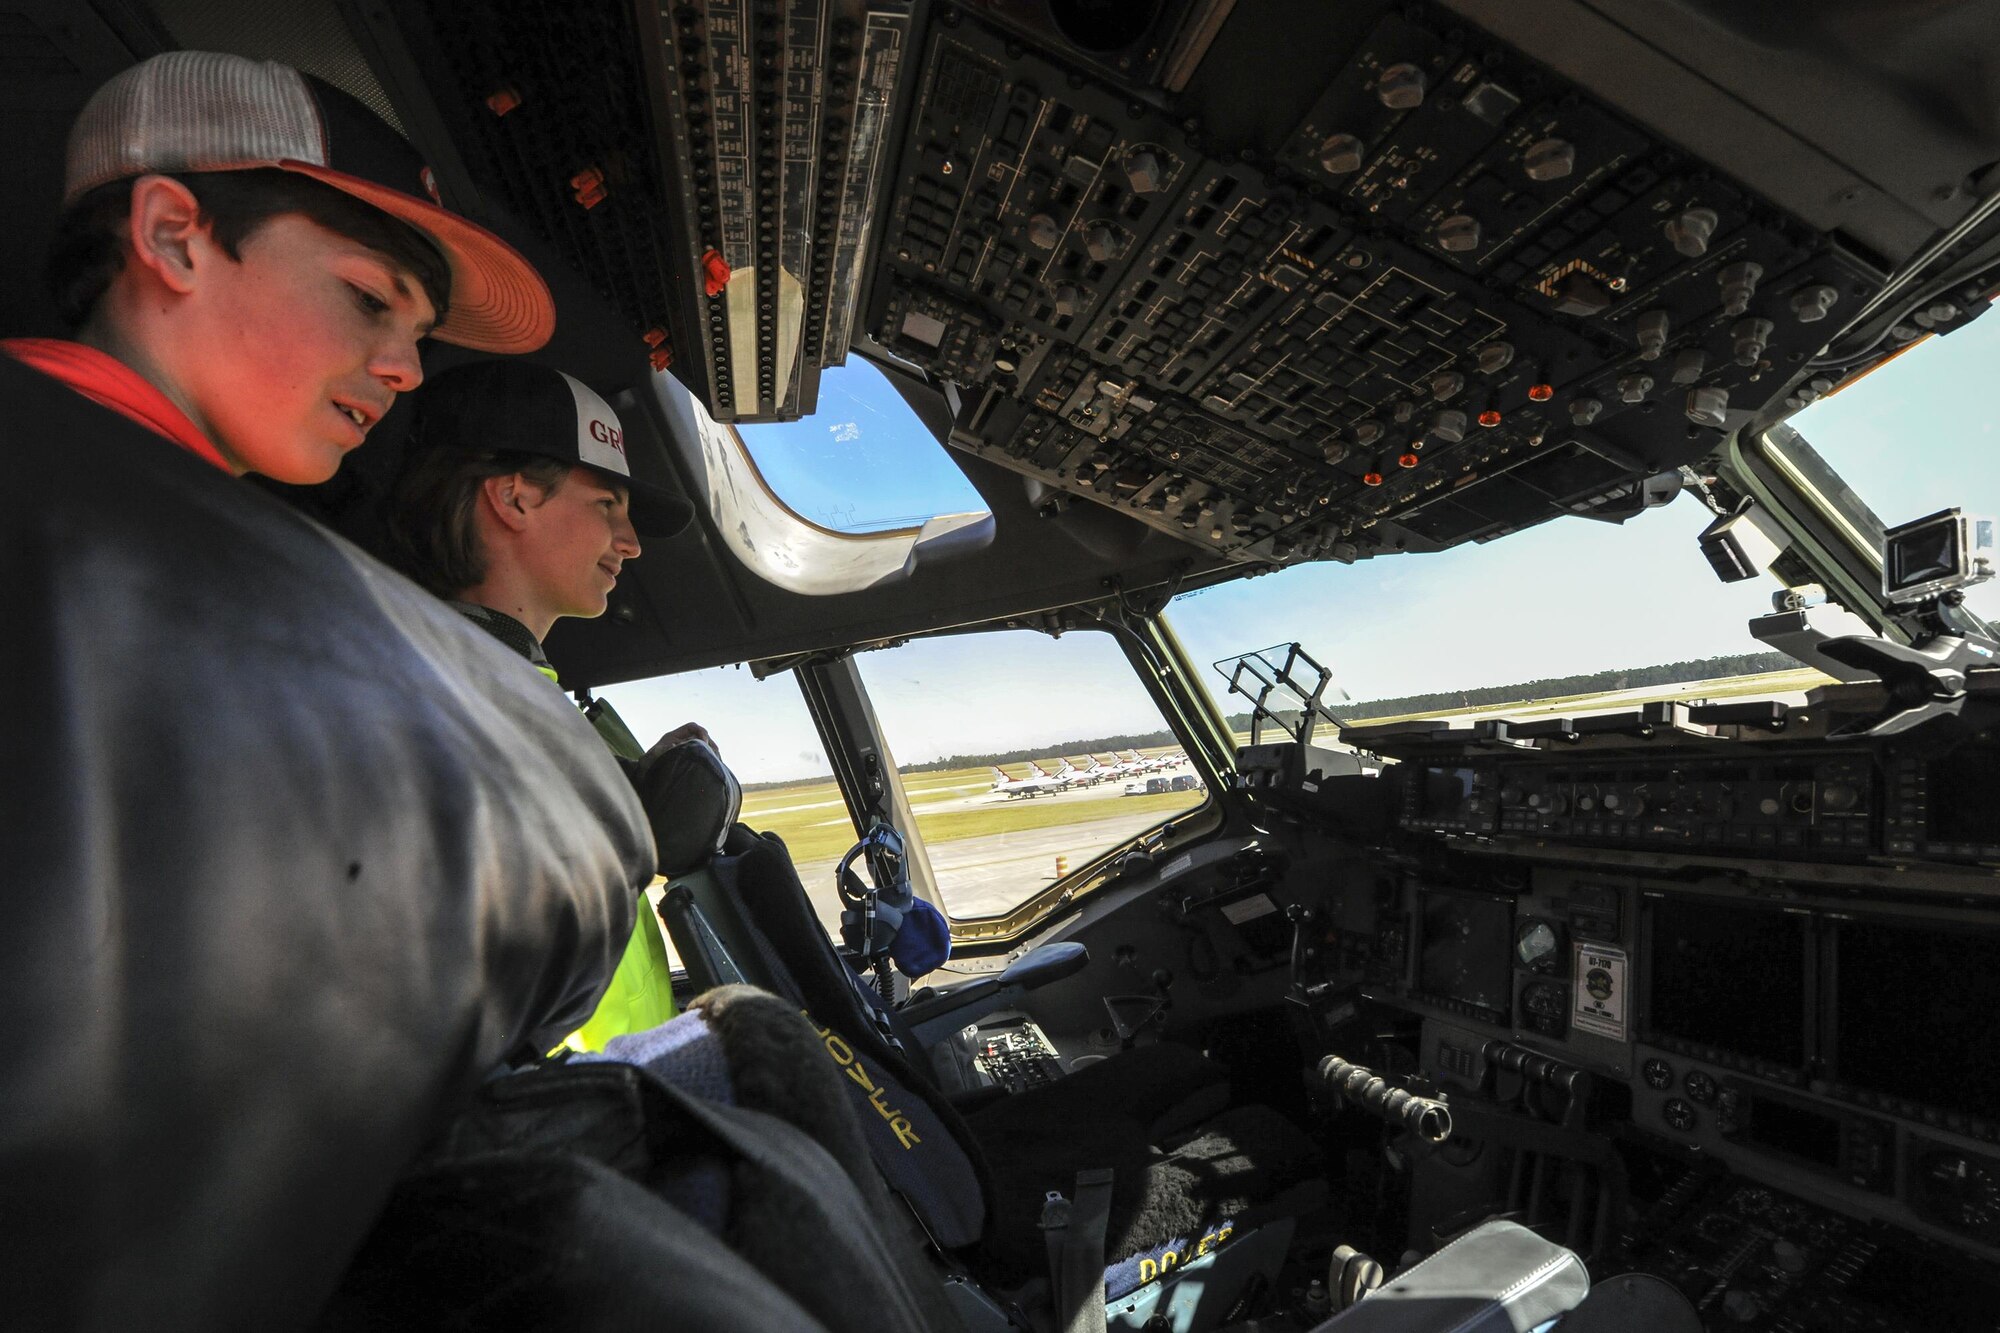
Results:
x,y
1407,291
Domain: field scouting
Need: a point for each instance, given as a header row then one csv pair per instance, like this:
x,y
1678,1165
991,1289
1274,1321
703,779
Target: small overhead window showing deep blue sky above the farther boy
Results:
x,y
863,461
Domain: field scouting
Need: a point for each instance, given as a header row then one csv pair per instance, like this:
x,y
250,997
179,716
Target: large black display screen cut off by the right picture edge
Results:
x,y
1915,1014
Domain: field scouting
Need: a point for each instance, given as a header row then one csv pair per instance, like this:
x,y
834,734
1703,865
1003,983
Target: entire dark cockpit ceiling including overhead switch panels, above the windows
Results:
x,y
1261,283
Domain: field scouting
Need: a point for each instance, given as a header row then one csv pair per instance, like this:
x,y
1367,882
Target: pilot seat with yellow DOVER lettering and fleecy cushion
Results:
x,y
1199,1190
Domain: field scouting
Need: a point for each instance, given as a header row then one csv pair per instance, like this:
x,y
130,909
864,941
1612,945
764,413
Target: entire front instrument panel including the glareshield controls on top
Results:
x,y
1773,962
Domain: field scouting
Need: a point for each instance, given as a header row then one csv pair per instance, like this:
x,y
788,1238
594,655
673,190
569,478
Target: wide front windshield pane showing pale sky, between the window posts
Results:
x,y
1565,609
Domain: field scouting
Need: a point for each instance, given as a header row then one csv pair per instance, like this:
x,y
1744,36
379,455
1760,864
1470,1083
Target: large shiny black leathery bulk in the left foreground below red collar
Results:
x,y
291,856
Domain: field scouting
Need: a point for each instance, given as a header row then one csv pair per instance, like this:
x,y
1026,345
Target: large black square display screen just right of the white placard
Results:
x,y
1729,978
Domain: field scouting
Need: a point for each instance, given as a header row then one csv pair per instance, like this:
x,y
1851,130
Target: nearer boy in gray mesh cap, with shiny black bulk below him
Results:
x,y
295,858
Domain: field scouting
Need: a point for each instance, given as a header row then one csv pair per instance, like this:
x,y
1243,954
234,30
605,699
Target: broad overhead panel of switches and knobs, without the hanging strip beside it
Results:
x,y
1439,305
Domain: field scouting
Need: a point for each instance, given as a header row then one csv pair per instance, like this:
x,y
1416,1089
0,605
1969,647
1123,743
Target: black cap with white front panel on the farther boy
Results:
x,y
515,407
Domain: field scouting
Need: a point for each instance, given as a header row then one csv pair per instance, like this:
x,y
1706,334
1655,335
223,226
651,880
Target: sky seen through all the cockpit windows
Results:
x,y
1571,595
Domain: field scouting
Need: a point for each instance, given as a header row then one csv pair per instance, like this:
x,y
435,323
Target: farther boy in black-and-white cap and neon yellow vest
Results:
x,y
519,507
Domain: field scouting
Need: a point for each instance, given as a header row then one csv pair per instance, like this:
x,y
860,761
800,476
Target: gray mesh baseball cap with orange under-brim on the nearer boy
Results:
x,y
197,111
